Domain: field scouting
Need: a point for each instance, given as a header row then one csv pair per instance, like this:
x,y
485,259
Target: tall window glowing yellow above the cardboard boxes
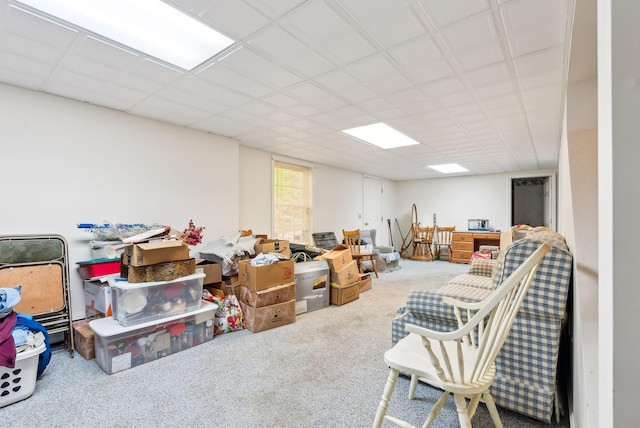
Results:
x,y
292,203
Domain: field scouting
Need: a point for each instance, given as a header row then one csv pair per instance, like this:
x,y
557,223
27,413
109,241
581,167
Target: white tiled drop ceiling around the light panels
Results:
x,y
477,82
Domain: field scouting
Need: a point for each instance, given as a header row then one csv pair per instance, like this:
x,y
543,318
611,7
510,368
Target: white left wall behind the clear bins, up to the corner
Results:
x,y
65,162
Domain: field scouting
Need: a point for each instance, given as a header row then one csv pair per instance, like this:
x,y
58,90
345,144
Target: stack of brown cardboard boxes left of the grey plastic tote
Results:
x,y
267,293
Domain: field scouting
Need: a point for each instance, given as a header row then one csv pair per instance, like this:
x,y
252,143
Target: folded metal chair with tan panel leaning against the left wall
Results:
x,y
40,264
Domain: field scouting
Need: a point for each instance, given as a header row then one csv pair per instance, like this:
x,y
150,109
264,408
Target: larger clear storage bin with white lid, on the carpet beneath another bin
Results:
x,y
120,348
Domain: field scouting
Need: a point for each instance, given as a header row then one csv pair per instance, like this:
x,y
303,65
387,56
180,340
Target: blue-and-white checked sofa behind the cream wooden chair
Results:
x,y
527,364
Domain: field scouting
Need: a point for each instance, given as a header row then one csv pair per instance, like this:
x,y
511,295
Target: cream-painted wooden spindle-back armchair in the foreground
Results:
x,y
460,362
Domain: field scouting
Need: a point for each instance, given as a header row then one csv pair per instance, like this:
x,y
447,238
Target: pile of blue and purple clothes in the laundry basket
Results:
x,y
19,332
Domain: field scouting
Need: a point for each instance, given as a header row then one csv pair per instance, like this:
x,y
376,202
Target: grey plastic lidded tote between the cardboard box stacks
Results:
x,y
312,285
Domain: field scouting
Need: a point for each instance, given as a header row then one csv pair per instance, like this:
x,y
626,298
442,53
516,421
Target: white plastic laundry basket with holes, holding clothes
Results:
x,y
19,382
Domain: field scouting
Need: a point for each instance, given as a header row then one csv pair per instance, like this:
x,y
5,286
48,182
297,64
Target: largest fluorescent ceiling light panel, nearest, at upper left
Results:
x,y
148,26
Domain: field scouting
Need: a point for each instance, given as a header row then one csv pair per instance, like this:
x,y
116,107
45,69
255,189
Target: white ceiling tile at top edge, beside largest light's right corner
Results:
x,y
224,15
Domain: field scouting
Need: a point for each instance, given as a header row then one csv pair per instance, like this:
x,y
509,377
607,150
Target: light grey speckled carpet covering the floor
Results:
x,y
324,370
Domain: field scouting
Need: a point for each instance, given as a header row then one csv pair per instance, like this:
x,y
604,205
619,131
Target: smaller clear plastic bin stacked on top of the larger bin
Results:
x,y
141,302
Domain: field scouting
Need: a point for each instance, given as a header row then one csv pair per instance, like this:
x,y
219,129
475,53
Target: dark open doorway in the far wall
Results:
x,y
531,201
